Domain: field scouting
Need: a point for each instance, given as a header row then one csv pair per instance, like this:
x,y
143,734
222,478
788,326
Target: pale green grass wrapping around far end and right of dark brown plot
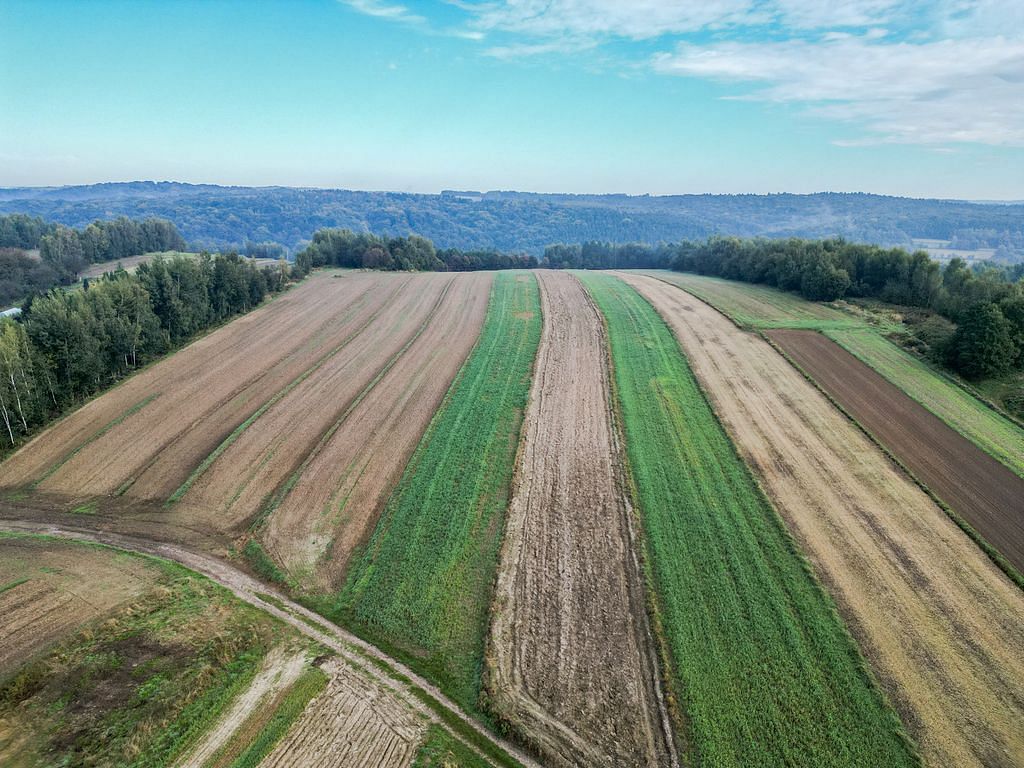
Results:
x,y
761,308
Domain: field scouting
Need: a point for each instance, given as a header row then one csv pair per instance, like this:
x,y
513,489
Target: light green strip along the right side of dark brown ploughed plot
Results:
x,y
989,430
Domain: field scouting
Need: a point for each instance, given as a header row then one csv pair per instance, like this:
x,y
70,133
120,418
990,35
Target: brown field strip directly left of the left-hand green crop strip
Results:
x,y
344,486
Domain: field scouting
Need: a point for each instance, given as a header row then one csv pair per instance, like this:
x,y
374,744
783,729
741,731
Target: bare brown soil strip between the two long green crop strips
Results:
x,y
573,661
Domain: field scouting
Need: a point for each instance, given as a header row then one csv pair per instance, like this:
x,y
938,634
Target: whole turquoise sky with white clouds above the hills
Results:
x,y
910,98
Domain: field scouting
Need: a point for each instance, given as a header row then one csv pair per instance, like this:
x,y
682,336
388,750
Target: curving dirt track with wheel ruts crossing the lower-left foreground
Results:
x,y
392,674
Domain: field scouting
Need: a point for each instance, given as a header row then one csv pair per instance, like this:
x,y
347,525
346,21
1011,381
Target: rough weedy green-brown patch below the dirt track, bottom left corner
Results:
x,y
139,687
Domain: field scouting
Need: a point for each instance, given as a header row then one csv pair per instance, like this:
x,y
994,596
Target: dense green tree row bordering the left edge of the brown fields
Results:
x,y
67,346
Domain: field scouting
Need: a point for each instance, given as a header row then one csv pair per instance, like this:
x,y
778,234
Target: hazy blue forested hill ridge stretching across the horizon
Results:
x,y
223,217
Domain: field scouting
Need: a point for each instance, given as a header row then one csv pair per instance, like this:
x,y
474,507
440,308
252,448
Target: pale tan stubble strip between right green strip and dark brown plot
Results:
x,y
942,626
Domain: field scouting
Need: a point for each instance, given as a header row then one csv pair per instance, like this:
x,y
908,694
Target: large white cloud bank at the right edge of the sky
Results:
x,y
937,93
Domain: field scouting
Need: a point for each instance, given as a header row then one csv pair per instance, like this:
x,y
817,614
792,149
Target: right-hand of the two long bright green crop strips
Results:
x,y
762,668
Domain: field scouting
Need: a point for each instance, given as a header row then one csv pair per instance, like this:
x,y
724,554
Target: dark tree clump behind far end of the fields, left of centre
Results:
x,y
338,247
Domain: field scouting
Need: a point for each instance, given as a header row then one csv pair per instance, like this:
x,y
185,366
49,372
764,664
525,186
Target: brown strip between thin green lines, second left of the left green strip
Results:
x,y
243,479
